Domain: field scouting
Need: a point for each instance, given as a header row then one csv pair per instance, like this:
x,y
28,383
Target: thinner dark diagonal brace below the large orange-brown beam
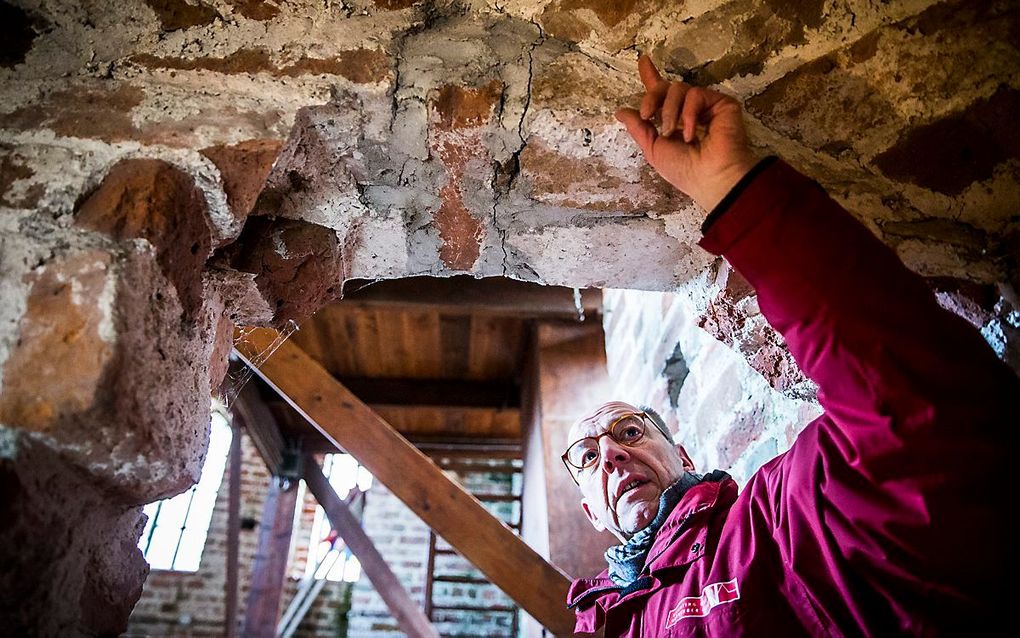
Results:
x,y
411,619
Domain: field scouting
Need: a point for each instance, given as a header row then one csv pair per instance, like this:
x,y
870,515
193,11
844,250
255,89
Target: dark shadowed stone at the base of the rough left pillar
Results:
x,y
77,571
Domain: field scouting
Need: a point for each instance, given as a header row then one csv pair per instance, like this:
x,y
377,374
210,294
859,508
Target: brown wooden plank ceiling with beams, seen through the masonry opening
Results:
x,y
438,359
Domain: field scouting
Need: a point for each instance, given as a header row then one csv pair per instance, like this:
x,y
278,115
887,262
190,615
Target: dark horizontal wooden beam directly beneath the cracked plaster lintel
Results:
x,y
468,296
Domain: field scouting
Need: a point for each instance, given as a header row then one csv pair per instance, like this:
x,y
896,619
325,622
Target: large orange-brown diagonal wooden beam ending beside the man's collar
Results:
x,y
456,516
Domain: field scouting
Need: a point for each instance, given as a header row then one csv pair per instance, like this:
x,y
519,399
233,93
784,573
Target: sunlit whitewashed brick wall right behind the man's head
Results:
x,y
725,414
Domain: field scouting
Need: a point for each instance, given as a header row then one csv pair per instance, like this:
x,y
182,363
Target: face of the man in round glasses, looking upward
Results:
x,y
622,493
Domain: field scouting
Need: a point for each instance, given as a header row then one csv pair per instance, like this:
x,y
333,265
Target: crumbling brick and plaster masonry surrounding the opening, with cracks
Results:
x,y
302,143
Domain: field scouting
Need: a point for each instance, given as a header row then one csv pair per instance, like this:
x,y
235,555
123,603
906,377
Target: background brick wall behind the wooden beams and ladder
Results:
x,y
179,604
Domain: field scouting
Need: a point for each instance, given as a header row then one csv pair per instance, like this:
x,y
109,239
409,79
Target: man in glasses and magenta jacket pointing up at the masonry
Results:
x,y
891,513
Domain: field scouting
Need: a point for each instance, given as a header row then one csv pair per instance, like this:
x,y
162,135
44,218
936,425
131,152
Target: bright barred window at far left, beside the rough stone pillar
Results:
x,y
175,534
